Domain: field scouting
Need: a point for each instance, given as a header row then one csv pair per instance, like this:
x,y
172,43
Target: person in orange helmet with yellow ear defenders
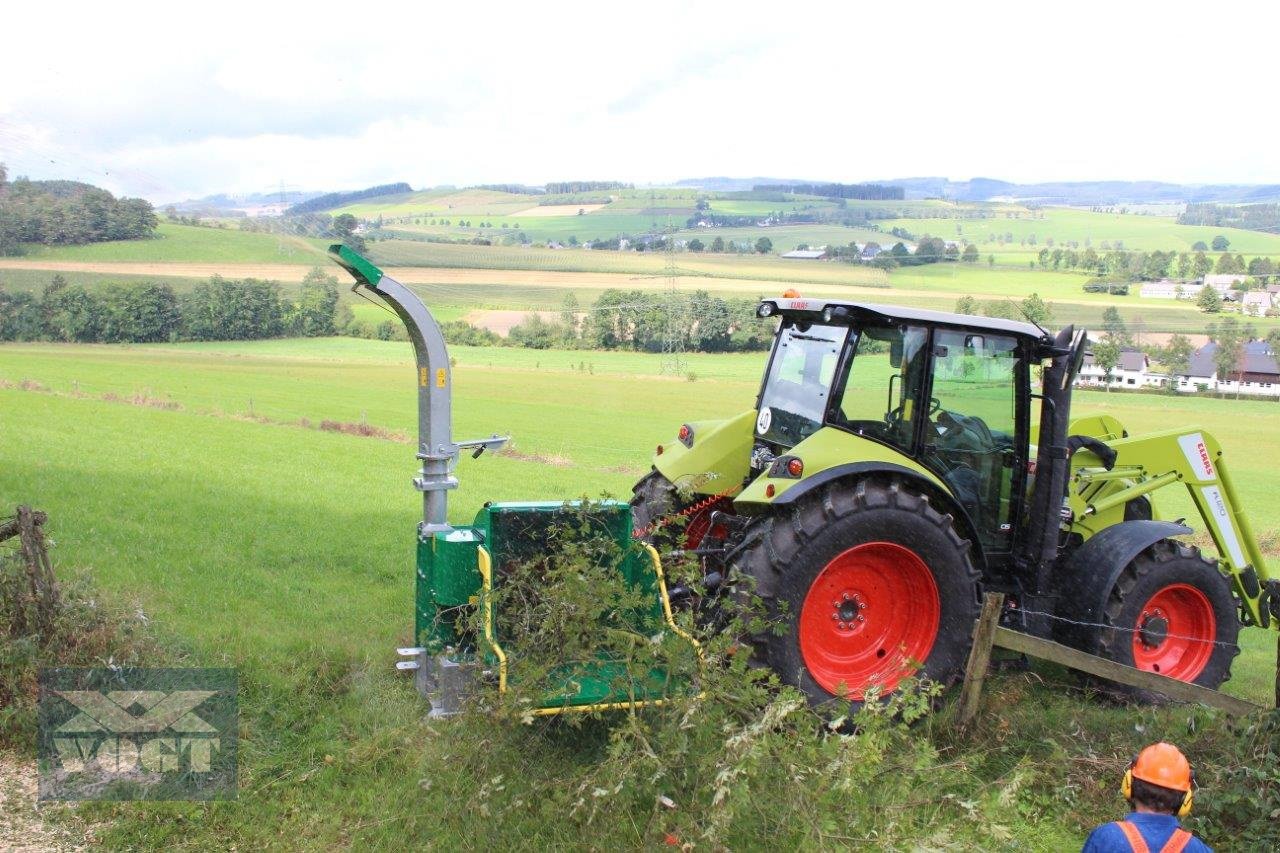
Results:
x,y
1159,786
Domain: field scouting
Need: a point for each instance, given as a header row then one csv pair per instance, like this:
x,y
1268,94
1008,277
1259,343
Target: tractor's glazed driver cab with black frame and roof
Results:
x,y
948,394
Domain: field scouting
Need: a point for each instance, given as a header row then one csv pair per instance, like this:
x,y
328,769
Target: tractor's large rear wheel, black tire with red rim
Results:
x,y
892,544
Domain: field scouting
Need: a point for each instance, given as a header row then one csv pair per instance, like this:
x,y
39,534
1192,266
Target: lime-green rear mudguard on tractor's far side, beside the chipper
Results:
x,y
715,460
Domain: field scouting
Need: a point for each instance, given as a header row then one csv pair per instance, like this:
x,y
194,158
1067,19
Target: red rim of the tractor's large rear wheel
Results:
x,y
870,618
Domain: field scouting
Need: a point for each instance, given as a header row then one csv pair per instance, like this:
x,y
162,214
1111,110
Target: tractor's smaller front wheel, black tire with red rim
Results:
x,y
1195,641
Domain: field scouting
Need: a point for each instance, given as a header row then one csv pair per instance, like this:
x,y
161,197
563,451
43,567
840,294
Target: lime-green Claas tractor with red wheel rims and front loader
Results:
x,y
894,469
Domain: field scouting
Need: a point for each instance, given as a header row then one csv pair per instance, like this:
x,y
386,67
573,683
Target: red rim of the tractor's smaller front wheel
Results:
x,y
1176,633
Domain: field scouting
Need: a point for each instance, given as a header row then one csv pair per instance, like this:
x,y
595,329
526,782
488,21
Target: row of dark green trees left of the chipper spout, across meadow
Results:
x,y
149,313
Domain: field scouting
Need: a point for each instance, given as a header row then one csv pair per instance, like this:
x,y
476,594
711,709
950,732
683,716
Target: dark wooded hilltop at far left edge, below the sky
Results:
x,y
66,213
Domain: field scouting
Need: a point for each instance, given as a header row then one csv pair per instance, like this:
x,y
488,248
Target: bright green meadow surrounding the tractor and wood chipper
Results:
x,y
195,496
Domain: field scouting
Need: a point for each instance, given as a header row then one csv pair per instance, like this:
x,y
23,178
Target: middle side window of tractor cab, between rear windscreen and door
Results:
x,y
886,378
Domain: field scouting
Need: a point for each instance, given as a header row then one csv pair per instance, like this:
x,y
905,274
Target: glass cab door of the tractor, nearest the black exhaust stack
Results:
x,y
972,430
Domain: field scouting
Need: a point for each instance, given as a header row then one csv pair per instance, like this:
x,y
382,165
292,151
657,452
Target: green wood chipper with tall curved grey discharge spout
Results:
x,y
460,569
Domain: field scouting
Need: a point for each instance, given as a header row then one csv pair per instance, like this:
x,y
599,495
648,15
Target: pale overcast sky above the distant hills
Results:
x,y
180,101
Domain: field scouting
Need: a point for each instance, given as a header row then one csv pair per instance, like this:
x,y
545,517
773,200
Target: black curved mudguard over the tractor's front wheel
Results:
x,y
1085,583
